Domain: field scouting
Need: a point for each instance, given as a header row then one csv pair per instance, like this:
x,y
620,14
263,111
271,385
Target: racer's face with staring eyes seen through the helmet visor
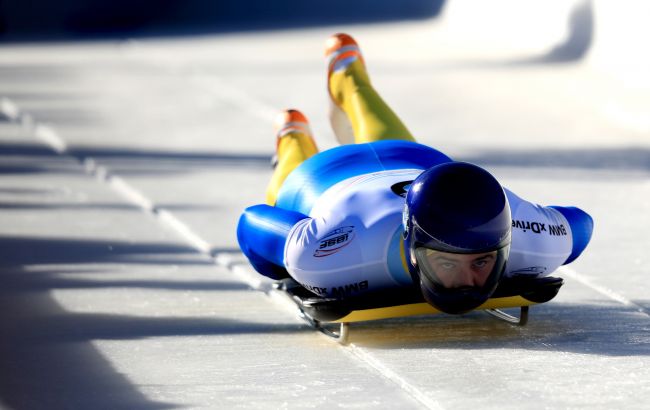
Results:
x,y
457,270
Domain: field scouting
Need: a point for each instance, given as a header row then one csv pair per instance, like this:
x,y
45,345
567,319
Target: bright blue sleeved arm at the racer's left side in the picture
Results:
x,y
262,233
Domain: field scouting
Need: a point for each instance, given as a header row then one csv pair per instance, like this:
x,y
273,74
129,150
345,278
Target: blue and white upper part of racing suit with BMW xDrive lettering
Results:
x,y
337,224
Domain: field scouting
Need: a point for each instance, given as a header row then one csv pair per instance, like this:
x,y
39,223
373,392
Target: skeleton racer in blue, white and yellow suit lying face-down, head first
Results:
x,y
383,215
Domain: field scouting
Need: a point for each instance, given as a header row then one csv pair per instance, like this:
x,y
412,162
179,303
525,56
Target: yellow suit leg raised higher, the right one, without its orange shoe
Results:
x,y
371,118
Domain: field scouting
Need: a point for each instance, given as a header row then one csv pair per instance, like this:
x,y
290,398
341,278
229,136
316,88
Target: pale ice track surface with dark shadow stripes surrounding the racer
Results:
x,y
124,167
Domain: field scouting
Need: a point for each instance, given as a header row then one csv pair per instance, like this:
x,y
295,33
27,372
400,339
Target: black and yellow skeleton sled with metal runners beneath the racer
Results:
x,y
321,313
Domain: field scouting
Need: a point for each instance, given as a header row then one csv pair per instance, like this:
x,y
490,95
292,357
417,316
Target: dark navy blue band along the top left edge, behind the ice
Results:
x,y
78,18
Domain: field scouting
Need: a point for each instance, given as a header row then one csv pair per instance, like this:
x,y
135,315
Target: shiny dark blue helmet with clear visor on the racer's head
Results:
x,y
457,235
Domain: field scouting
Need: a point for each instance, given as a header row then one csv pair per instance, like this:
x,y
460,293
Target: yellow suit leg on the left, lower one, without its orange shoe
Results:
x,y
293,149
